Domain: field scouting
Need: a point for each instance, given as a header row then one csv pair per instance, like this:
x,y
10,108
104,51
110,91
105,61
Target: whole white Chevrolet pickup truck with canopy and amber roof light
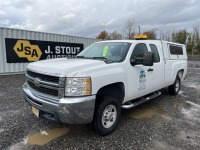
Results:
x,y
102,79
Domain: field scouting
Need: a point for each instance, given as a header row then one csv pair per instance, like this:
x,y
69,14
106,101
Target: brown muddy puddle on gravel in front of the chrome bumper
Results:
x,y
45,137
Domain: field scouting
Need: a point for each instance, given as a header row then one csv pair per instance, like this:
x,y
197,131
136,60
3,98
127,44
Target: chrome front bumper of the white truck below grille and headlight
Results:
x,y
78,110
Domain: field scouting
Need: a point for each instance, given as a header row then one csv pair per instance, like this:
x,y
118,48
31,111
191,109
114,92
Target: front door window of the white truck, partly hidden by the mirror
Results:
x,y
139,50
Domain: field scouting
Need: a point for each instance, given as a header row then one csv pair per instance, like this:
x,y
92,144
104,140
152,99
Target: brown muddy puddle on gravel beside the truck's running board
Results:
x,y
148,113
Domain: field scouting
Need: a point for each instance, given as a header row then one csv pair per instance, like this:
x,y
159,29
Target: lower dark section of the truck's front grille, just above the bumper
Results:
x,y
43,90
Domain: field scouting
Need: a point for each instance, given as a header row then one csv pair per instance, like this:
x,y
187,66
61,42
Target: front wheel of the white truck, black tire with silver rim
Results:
x,y
106,116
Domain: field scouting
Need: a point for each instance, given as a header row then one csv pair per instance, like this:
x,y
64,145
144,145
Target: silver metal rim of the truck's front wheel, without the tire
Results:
x,y
109,116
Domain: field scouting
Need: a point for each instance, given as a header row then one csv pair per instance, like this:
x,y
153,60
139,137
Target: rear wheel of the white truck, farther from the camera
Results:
x,y
175,87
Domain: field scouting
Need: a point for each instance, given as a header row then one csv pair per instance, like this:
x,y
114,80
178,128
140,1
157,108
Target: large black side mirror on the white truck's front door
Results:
x,y
146,60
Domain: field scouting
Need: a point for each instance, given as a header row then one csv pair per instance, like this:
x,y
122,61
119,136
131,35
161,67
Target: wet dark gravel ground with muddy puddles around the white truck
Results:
x,y
166,122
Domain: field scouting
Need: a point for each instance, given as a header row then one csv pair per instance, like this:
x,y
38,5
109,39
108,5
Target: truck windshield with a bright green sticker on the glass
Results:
x,y
110,51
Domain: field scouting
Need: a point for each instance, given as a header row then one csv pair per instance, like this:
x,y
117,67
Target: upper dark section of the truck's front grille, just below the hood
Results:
x,y
46,78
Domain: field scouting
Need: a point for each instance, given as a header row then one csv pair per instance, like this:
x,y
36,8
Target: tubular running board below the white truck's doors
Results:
x,y
143,99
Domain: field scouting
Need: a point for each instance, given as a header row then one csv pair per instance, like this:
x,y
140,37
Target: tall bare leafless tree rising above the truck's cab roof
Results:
x,y
128,29
